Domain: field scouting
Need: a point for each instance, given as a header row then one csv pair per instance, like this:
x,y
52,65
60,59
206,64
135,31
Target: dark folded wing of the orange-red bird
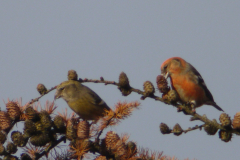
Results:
x,y
197,78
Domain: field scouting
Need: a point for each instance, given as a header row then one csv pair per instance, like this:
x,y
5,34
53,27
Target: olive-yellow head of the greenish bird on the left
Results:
x,y
67,90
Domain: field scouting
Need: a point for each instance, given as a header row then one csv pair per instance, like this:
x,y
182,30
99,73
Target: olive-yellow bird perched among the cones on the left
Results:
x,y
82,100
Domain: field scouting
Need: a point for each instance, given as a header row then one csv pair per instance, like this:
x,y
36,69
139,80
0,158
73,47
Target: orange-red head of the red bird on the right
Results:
x,y
171,66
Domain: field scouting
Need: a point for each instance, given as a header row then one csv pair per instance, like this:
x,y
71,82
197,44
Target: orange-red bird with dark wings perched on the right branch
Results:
x,y
187,82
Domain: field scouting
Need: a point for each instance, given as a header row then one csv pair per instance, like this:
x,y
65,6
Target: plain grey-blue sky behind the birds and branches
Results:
x,y
41,40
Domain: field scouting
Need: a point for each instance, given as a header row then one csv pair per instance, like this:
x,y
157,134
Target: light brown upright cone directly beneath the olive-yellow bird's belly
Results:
x,y
83,130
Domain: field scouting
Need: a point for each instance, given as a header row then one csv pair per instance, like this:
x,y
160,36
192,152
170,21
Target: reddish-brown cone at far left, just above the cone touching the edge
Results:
x,y
13,110
